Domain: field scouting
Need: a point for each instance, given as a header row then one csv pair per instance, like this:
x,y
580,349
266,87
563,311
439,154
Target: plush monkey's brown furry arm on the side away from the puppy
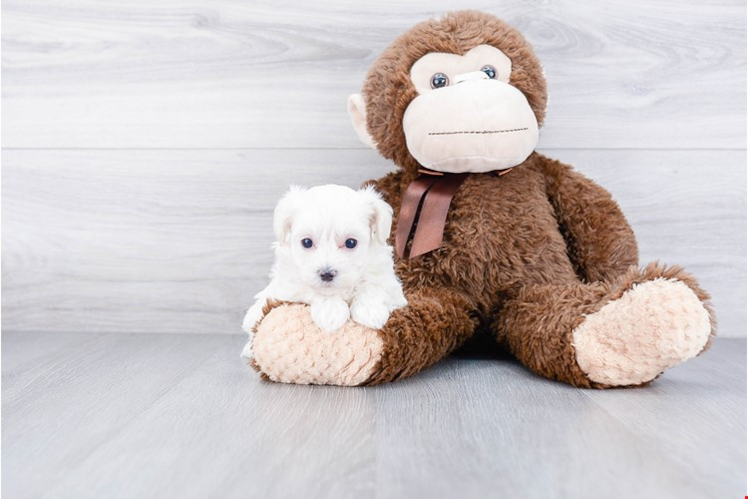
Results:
x,y
600,242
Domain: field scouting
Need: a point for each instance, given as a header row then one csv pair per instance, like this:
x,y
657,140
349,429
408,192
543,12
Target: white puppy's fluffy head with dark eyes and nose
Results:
x,y
331,232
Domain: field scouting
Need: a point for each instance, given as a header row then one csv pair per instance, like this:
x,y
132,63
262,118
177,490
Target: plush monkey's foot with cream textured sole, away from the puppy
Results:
x,y
660,320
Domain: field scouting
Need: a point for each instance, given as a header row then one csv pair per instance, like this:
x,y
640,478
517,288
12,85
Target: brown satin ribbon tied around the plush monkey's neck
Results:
x,y
424,207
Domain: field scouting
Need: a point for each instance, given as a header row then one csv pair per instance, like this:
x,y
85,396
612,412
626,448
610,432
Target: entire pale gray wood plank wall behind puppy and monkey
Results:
x,y
145,143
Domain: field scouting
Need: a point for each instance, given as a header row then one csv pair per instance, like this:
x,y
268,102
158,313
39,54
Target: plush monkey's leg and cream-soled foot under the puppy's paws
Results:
x,y
289,347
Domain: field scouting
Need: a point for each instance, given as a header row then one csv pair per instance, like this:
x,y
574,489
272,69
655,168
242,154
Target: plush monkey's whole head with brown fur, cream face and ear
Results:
x,y
460,94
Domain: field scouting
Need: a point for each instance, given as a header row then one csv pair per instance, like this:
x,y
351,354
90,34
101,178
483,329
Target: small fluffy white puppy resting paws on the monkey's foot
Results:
x,y
331,253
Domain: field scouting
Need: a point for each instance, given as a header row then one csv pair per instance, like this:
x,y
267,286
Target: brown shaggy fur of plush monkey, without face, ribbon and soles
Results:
x,y
529,253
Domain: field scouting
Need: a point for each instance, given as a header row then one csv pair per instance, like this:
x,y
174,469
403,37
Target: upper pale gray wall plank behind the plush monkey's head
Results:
x,y
222,74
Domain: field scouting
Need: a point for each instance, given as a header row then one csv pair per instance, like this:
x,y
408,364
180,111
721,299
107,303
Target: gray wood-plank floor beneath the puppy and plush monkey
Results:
x,y
112,415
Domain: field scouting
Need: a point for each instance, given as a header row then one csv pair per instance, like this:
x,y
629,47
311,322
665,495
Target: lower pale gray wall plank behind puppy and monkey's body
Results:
x,y
179,241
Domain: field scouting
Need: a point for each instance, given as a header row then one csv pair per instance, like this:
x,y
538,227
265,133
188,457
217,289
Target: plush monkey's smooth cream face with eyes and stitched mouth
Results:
x,y
467,117
